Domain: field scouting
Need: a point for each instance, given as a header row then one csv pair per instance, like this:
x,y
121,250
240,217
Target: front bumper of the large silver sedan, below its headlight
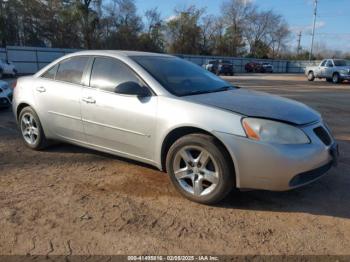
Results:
x,y
279,167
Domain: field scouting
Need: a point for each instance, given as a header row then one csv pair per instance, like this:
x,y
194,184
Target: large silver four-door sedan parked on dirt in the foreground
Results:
x,y
207,134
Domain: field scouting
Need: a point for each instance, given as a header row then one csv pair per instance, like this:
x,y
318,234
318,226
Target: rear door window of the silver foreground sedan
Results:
x,y
71,70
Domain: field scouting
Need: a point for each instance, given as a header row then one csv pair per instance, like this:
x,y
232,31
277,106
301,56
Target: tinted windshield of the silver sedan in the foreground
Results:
x,y
181,77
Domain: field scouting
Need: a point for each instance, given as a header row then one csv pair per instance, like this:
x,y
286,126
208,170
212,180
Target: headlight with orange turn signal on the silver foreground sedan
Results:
x,y
273,132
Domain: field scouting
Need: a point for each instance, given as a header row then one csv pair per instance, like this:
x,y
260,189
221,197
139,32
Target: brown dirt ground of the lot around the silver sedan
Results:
x,y
69,200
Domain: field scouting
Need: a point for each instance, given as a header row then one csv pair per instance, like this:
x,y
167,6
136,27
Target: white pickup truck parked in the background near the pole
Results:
x,y
333,70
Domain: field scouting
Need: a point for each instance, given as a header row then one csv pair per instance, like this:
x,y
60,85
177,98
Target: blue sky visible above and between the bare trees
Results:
x,y
333,21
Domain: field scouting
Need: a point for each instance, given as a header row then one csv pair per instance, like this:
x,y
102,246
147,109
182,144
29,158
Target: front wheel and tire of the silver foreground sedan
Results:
x,y
200,169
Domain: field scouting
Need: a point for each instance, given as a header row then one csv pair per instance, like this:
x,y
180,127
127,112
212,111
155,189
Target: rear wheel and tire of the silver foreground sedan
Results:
x,y
31,129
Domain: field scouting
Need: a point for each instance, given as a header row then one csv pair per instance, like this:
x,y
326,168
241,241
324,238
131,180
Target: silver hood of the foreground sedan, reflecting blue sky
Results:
x,y
258,104
